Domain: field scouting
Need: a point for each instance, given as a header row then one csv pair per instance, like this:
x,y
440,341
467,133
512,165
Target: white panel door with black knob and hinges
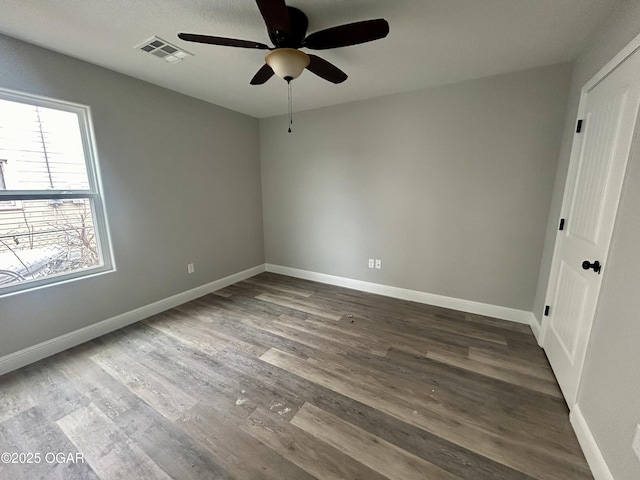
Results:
x,y
598,162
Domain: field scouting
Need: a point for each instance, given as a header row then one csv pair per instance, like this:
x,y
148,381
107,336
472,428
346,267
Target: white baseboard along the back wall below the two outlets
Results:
x,y
504,313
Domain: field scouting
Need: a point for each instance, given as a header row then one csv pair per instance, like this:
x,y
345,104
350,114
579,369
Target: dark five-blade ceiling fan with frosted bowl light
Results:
x,y
287,28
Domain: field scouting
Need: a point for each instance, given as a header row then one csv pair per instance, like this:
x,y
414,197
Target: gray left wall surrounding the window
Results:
x,y
182,184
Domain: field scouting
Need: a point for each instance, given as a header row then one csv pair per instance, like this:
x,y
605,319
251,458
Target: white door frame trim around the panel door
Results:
x,y
630,49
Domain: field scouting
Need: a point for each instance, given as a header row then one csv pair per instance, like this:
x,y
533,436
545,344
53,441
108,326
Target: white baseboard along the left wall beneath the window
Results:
x,y
45,349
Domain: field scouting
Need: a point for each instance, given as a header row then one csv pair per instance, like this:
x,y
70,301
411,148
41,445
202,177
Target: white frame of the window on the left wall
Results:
x,y
94,193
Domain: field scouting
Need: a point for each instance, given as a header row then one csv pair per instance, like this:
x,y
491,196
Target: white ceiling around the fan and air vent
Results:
x,y
431,42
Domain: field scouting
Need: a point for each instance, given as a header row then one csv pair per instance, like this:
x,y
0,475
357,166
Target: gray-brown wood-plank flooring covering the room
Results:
x,y
285,379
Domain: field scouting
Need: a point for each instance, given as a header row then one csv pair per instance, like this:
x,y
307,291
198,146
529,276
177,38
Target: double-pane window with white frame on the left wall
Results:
x,y
52,221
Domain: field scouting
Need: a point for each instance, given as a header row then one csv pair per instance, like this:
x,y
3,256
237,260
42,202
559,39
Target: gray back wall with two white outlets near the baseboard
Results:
x,y
449,186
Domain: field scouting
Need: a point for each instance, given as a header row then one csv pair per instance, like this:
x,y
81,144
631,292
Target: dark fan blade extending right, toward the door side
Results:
x,y
345,35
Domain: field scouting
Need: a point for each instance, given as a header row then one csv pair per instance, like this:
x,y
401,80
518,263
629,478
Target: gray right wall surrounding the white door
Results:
x,y
610,386
